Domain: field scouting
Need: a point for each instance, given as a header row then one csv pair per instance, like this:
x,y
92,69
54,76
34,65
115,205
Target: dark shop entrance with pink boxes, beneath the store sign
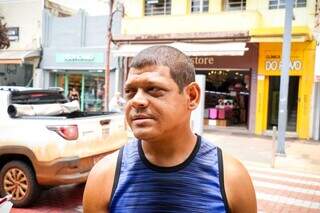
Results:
x,y
227,97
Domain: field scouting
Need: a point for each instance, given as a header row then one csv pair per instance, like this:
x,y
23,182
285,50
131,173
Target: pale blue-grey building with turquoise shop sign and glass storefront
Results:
x,y
74,50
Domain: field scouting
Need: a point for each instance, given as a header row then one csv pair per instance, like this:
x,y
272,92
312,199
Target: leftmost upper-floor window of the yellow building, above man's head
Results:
x,y
157,7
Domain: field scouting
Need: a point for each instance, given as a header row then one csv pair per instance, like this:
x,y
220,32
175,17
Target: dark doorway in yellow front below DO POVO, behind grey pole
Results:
x,y
274,93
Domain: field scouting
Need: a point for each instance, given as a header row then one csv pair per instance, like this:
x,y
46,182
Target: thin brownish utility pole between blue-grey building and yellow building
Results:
x,y
108,47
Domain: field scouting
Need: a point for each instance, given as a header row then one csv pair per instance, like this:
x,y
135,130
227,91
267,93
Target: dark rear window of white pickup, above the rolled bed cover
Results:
x,y
37,97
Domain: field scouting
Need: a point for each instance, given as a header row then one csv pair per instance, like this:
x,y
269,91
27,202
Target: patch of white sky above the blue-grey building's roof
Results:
x,y
93,7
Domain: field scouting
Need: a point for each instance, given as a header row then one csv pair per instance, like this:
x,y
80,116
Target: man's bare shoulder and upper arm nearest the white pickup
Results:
x,y
97,193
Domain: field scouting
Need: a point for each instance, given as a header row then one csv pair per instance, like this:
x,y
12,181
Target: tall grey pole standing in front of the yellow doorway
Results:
x,y
284,83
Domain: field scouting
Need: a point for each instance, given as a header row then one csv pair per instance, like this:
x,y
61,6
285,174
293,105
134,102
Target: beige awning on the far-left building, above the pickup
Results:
x,y
17,57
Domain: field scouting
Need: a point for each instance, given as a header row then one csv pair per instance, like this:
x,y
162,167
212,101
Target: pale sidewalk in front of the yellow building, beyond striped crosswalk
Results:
x,y
301,156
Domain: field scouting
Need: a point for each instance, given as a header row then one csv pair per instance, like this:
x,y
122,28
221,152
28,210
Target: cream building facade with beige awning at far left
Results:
x,y
19,64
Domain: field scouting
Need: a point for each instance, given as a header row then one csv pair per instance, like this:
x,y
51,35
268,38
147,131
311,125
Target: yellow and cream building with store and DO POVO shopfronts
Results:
x,y
254,67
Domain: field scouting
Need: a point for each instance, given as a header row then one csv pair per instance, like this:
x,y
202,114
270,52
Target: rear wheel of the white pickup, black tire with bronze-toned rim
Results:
x,y
26,191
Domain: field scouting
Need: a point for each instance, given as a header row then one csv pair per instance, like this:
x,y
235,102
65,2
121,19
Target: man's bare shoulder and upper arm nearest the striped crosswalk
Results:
x,y
238,186
